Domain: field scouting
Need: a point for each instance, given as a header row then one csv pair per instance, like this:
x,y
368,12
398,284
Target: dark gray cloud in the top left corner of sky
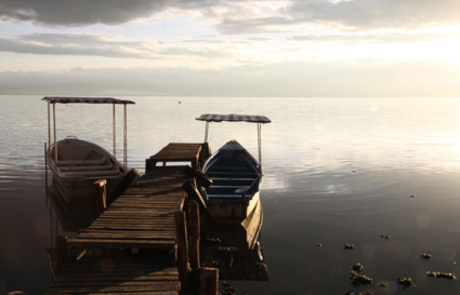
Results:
x,y
86,12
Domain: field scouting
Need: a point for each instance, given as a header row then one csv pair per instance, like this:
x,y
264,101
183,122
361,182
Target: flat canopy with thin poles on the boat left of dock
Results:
x,y
53,100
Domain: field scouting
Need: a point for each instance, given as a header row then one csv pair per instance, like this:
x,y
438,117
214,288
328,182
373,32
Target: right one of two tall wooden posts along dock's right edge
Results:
x,y
194,233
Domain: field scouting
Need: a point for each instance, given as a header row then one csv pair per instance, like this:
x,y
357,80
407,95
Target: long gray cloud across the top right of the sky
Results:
x,y
358,14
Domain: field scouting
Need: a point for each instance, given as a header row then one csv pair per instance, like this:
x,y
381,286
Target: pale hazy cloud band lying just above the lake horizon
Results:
x,y
423,79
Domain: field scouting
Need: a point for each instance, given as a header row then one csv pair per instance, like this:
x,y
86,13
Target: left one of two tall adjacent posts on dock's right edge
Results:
x,y
182,246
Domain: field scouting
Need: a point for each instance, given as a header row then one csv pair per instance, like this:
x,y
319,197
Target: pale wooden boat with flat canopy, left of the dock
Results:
x,y
76,164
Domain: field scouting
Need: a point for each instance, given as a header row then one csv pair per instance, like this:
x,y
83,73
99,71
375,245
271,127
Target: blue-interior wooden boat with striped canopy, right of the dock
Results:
x,y
236,175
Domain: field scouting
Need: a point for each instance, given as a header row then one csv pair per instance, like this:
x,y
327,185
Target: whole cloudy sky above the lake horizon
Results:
x,y
319,48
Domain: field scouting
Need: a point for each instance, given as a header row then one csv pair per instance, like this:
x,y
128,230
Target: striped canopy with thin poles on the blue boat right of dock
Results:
x,y
236,118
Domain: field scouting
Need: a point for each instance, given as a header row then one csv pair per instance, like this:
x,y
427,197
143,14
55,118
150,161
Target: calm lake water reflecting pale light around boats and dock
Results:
x,y
337,170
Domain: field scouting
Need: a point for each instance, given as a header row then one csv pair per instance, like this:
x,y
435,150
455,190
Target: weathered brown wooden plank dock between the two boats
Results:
x,y
140,243
